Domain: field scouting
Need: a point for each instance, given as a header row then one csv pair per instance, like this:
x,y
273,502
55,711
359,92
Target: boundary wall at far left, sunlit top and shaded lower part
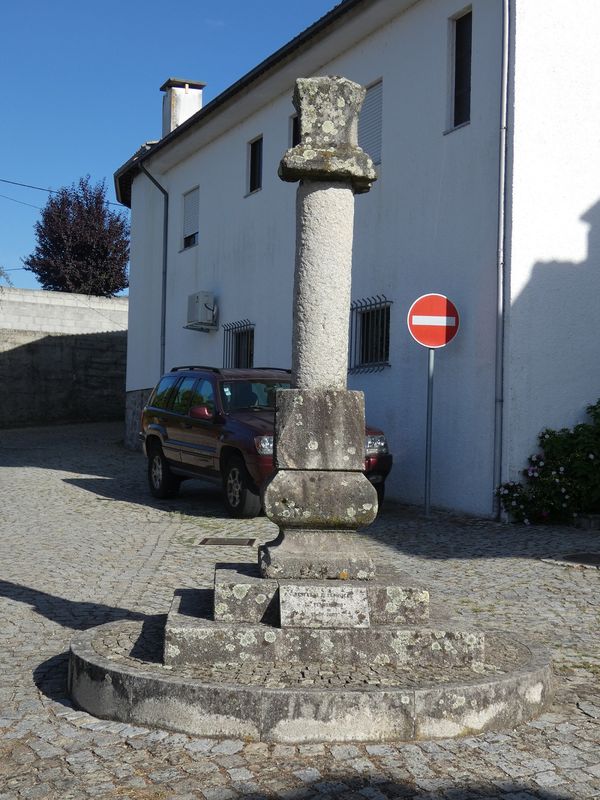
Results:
x,y
62,357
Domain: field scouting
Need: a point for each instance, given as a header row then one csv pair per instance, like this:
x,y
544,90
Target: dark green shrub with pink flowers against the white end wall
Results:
x,y
562,480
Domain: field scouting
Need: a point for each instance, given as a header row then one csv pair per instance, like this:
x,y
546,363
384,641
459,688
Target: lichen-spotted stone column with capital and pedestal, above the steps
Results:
x,y
319,494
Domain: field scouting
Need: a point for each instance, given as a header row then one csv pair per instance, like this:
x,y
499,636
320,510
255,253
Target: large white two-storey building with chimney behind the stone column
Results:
x,y
489,141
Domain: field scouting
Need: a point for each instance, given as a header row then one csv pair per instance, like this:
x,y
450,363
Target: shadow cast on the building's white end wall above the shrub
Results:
x,y
555,346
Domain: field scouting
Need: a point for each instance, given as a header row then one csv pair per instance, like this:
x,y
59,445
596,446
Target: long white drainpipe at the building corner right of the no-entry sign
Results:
x,y
501,262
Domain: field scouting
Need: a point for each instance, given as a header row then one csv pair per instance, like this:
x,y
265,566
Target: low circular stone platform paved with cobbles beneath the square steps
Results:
x,y
116,672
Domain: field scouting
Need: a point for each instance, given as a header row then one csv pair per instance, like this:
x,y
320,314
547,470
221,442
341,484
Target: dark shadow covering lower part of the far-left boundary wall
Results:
x,y
61,378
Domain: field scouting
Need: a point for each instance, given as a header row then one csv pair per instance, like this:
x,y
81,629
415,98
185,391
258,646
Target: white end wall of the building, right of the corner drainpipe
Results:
x,y
553,343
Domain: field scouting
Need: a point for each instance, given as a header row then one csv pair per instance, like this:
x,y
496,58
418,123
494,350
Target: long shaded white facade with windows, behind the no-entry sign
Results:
x,y
428,225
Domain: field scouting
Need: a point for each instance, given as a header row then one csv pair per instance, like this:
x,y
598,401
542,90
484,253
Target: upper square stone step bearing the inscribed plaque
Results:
x,y
242,595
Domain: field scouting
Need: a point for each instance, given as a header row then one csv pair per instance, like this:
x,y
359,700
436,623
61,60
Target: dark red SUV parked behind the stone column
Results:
x,y
217,424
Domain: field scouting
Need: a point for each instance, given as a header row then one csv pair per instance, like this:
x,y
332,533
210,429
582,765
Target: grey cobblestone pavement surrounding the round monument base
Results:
x,y
81,544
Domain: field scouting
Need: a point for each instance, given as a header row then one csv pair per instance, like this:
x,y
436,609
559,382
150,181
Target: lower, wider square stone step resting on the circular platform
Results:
x,y
194,640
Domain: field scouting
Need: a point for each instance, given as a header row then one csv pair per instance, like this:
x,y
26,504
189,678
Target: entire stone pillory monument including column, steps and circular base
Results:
x,y
373,665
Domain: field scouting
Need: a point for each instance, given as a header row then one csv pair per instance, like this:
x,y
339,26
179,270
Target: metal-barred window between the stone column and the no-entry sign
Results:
x,y
369,334
